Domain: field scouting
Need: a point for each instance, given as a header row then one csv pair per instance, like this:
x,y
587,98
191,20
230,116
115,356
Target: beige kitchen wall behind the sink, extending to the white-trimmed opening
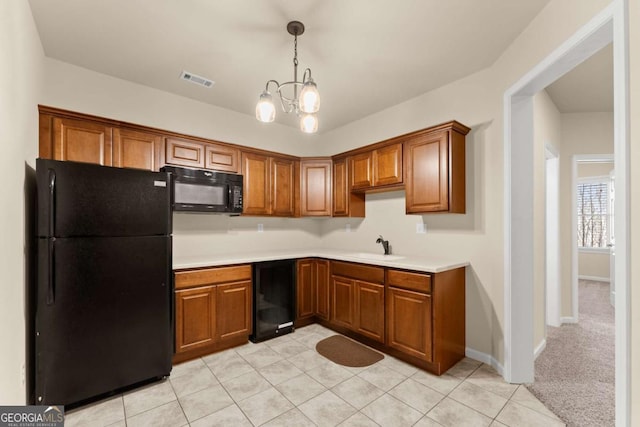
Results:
x,y
477,236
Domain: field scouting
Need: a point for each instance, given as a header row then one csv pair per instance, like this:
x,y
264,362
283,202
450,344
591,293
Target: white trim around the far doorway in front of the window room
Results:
x,y
577,159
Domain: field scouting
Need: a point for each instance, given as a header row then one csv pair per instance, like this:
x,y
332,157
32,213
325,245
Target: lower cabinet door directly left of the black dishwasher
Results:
x,y
234,310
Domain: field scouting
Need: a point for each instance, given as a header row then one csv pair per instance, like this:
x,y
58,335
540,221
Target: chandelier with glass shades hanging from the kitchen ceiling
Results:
x,y
304,104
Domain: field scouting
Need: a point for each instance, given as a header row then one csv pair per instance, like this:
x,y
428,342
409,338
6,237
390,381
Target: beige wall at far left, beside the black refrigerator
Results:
x,y
20,82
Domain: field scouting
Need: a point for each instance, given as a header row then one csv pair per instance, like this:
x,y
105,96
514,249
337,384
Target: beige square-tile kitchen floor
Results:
x,y
285,382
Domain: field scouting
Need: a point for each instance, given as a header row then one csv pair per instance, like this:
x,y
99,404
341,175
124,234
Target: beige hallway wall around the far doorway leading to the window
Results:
x,y
582,133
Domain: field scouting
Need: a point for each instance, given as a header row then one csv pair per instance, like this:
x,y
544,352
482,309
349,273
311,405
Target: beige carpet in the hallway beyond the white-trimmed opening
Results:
x,y
574,375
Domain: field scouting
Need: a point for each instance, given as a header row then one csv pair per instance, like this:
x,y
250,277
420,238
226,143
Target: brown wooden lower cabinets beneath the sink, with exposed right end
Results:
x,y
418,317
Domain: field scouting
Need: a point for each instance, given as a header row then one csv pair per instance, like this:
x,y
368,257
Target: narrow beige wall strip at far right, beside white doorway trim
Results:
x,y
634,191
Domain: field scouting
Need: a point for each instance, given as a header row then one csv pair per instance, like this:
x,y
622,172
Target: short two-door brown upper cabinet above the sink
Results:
x,y
377,168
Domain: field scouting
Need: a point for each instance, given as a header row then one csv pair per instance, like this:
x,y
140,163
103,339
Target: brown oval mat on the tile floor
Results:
x,y
343,351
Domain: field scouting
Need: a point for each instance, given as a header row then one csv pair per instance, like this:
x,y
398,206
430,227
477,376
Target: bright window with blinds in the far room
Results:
x,y
593,214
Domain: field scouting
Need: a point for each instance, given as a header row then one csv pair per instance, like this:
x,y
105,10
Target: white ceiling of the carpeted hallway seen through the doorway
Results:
x,y
586,88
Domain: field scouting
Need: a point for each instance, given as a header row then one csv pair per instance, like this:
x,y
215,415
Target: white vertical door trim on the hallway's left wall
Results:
x,y
552,238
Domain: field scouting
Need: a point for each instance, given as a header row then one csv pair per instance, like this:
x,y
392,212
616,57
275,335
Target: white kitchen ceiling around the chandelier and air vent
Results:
x,y
366,55
